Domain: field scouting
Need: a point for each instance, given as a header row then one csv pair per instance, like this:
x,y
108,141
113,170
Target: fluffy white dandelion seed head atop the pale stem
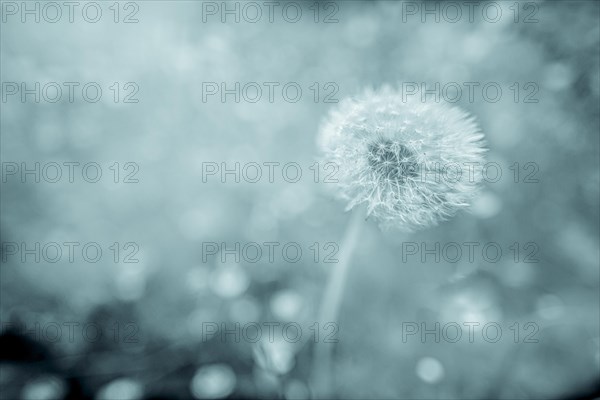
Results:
x,y
412,163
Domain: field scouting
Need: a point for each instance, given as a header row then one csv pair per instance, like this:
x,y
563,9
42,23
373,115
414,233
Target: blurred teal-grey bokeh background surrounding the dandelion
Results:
x,y
155,300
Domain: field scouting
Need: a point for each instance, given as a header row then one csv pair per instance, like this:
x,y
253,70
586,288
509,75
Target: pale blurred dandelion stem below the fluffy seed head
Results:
x,y
321,378
